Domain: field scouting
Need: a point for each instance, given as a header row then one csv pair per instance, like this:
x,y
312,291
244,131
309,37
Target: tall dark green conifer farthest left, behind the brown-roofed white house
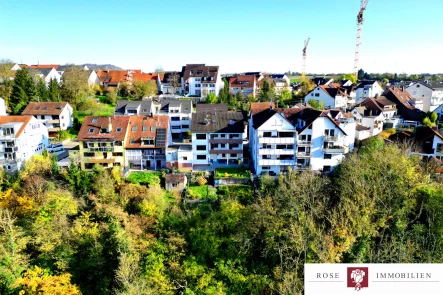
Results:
x,y
23,90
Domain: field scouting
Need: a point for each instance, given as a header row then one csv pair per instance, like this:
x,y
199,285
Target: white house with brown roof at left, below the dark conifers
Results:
x,y
54,115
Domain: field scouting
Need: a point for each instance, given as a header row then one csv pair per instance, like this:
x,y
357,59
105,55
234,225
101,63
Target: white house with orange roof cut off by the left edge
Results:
x,y
21,137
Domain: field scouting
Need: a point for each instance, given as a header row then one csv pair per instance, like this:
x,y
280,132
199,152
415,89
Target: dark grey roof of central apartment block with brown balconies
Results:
x,y
221,122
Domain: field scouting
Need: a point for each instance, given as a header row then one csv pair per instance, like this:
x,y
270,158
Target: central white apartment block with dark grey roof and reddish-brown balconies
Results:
x,y
217,138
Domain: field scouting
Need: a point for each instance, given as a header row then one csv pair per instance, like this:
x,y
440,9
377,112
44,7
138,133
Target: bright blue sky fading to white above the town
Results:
x,y
403,36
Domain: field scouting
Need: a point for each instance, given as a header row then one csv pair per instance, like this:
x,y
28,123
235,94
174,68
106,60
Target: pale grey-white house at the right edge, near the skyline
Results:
x,y
430,95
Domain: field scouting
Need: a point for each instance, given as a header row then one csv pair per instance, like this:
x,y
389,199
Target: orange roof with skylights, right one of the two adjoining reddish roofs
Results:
x,y
153,126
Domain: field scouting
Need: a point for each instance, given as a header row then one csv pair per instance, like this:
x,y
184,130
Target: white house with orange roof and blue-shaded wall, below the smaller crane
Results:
x,y
331,95
